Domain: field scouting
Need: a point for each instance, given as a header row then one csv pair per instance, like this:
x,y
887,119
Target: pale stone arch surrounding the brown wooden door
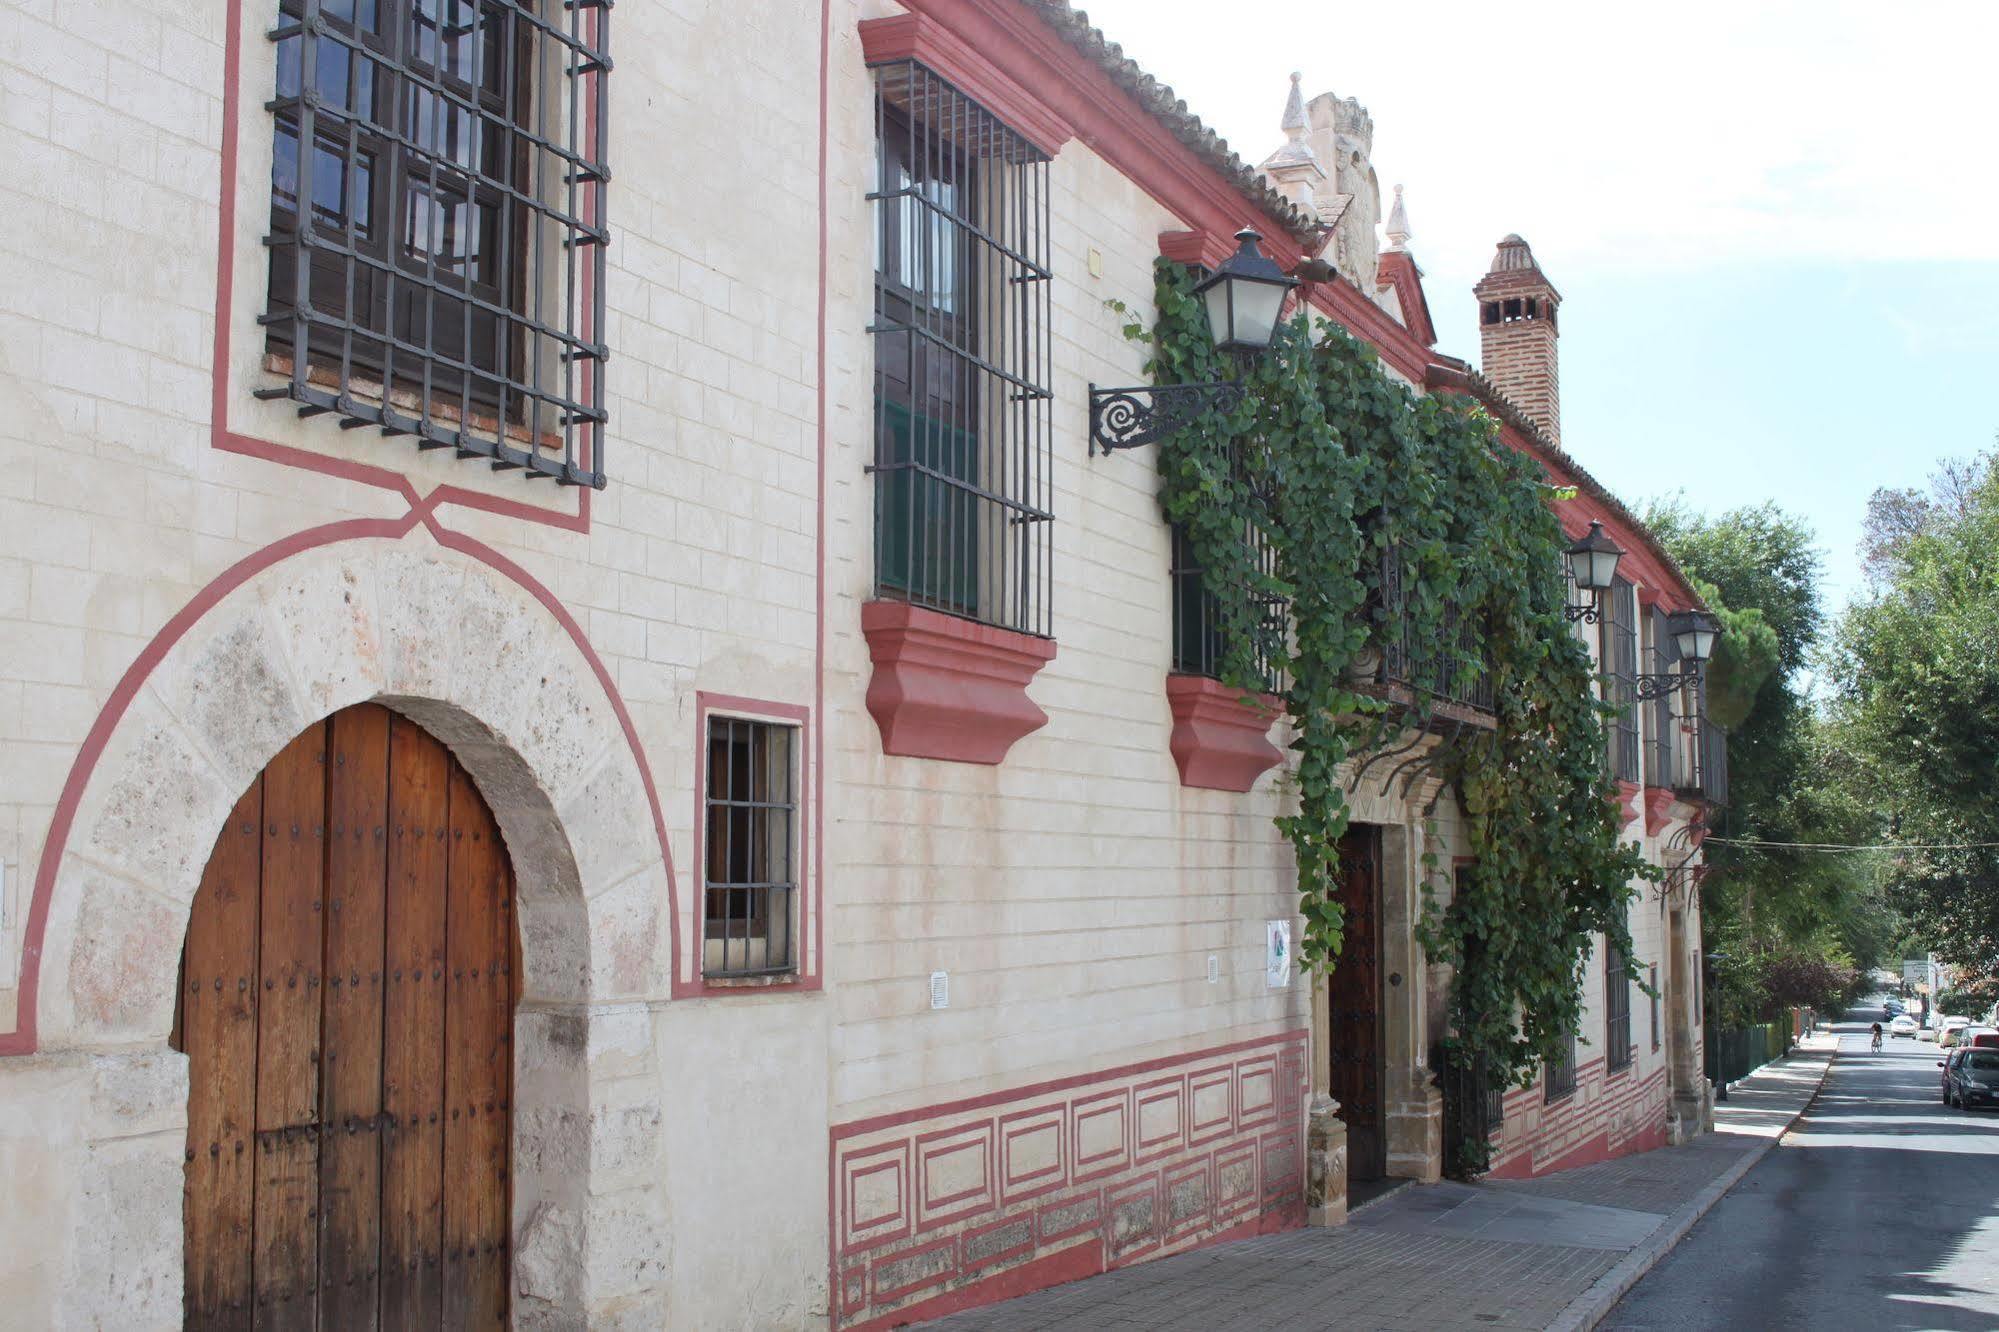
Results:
x,y
477,655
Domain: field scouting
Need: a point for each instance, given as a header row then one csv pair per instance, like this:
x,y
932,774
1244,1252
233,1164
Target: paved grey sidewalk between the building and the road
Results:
x,y
1552,1253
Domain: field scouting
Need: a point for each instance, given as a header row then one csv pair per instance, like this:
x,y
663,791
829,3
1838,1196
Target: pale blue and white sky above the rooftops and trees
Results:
x,y
1774,227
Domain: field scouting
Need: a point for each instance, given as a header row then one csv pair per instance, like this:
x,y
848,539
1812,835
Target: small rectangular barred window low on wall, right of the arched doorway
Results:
x,y
751,849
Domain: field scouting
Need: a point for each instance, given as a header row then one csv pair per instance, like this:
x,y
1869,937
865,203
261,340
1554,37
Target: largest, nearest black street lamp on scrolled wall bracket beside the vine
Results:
x,y
1244,299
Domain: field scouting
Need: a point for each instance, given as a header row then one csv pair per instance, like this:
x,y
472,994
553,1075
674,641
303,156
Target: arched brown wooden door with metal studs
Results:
x,y
347,1007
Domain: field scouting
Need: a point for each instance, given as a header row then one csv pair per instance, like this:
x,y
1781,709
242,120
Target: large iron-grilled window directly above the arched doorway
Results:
x,y
445,275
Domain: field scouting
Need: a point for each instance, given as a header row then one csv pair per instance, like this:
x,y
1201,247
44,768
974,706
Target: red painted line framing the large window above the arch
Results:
x,y
285,455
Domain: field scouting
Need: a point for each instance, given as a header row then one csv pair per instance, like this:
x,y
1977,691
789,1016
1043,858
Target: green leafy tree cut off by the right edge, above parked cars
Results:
x,y
1918,677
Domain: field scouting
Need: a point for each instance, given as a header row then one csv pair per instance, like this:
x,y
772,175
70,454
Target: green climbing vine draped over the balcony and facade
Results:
x,y
1328,465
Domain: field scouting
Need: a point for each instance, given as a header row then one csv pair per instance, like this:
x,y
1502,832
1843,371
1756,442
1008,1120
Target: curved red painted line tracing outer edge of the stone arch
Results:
x,y
25,1039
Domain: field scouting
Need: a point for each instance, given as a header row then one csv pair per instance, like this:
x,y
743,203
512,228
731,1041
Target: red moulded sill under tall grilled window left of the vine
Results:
x,y
947,687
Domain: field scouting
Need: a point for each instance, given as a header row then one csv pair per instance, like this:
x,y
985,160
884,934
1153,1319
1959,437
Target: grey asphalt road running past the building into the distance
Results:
x,y
1878,1211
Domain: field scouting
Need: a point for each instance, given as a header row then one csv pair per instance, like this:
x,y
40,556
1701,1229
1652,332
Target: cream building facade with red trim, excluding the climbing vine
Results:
x,y
587,741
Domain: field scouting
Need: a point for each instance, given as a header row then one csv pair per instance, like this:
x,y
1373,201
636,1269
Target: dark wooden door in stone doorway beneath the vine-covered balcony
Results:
x,y
1354,1007
